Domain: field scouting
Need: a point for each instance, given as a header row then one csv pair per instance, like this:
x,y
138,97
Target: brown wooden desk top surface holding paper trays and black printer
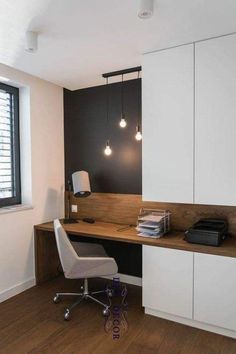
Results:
x,y
109,231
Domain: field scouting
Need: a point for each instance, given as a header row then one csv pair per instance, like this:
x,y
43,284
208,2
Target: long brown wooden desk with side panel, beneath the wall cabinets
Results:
x,y
46,256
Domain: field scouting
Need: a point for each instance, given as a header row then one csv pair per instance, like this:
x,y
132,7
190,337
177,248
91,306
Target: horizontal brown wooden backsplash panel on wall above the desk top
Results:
x,y
124,209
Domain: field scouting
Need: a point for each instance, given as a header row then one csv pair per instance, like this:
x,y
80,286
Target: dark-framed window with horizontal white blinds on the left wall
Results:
x,y
10,192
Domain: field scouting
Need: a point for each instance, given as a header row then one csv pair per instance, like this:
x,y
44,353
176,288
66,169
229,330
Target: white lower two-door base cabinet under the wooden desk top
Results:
x,y
191,288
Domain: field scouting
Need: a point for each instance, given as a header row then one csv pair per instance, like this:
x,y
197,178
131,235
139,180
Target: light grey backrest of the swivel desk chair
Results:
x,y
67,254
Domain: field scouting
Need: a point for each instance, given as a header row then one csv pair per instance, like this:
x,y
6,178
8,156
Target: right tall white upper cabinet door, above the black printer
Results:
x,y
215,121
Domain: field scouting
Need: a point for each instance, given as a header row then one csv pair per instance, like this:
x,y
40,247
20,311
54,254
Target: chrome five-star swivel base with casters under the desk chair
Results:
x,y
85,295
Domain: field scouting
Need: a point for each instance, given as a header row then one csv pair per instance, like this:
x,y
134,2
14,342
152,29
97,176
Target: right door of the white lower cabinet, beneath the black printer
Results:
x,y
215,290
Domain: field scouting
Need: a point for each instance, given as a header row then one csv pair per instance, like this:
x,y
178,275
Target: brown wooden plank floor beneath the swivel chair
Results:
x,y
31,323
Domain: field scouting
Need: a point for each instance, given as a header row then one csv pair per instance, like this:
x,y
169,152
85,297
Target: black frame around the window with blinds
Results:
x,y
15,146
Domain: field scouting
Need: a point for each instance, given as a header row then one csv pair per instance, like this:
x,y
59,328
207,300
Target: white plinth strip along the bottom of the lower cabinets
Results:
x,y
191,323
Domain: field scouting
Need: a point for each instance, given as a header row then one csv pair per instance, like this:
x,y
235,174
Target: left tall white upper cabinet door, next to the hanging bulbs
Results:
x,y
168,125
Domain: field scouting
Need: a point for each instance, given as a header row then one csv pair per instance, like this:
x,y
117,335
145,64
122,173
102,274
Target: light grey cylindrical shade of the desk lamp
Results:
x,y
81,184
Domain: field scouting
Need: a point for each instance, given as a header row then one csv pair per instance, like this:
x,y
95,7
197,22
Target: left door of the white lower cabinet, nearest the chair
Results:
x,y
168,280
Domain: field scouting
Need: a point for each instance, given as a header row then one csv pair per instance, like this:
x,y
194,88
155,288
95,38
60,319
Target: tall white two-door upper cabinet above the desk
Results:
x,y
189,143
